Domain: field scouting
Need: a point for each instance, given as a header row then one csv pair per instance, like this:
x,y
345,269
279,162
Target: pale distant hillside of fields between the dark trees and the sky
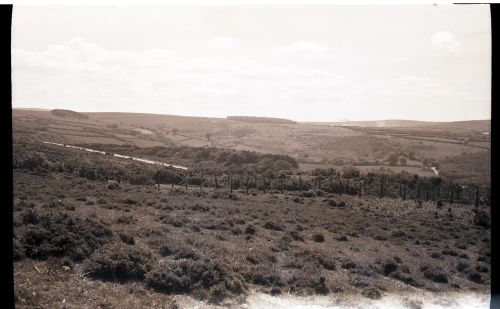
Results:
x,y
327,145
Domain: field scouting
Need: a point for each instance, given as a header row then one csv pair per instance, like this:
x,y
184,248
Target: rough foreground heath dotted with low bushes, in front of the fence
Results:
x,y
156,243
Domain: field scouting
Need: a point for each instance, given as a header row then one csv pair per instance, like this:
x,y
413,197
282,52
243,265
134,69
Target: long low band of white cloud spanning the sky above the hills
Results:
x,y
301,81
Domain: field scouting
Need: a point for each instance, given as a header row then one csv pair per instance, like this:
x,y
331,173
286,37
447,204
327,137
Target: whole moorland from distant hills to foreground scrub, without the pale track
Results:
x,y
98,231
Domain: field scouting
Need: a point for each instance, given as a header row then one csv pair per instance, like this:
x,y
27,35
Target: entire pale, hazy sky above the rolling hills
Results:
x,y
306,63
